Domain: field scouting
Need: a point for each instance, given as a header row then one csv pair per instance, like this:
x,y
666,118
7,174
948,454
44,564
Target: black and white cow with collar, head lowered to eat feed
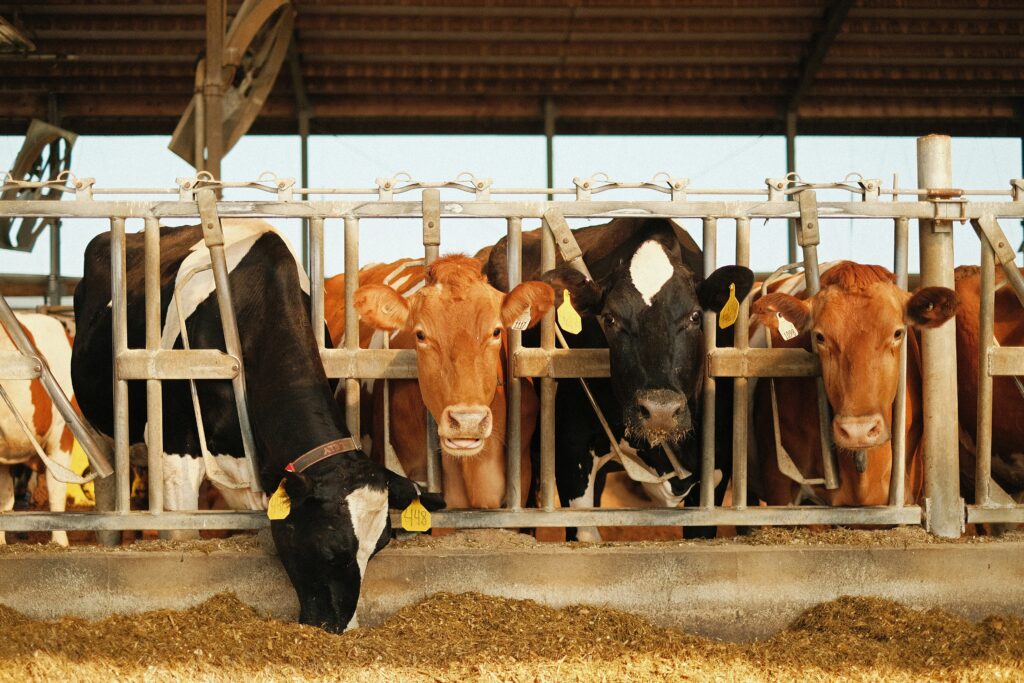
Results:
x,y
339,499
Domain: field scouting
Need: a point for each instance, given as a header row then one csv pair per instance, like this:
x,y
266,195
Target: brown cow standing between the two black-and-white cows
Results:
x,y
457,324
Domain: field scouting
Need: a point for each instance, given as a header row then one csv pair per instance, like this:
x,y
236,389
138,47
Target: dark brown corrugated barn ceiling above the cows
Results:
x,y
876,67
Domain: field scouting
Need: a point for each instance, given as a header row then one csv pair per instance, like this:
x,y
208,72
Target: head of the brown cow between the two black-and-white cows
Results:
x,y
458,322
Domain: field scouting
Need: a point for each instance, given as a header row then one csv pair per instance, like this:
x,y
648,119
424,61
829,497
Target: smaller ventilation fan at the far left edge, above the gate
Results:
x,y
45,156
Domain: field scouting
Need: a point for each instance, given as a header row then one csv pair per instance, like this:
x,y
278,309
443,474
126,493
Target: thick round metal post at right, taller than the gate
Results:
x,y
946,511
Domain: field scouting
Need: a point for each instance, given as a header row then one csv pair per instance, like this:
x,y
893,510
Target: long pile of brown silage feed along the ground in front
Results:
x,y
477,637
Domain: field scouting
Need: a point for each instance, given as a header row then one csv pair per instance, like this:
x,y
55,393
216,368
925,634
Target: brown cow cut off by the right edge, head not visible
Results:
x,y
1008,403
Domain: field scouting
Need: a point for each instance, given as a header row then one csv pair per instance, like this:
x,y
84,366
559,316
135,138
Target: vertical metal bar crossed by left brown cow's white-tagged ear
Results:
x,y
514,421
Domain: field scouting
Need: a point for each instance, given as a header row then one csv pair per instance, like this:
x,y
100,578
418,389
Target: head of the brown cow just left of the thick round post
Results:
x,y
859,322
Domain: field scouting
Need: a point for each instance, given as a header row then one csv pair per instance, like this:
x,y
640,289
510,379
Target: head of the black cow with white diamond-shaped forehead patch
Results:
x,y
652,310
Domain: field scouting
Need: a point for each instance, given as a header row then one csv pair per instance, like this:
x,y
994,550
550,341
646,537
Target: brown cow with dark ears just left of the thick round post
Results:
x,y
858,320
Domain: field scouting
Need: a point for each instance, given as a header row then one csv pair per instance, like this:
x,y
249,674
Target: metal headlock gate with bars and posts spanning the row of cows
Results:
x,y
935,207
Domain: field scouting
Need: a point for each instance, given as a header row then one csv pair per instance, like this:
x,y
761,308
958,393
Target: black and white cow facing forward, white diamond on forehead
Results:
x,y
650,294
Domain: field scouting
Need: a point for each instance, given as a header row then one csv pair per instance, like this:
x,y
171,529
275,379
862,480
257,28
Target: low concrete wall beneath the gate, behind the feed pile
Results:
x,y
735,592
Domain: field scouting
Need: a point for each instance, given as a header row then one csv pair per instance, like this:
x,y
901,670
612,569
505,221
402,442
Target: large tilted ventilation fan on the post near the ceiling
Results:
x,y
254,51
